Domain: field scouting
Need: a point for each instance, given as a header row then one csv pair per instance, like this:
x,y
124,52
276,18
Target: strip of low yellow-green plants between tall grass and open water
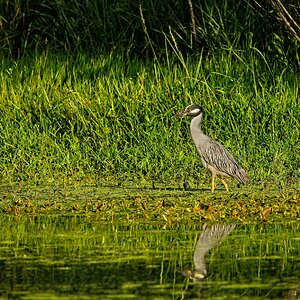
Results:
x,y
164,204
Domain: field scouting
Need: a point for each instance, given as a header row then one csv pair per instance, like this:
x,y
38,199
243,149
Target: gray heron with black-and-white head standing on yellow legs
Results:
x,y
214,156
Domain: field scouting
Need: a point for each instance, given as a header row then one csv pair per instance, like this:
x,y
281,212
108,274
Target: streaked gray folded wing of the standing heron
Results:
x,y
217,156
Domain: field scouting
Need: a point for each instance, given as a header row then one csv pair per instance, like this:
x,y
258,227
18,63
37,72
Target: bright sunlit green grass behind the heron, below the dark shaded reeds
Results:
x,y
109,116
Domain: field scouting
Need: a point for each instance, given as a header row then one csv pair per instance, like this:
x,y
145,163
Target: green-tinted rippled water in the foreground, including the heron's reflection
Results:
x,y
69,257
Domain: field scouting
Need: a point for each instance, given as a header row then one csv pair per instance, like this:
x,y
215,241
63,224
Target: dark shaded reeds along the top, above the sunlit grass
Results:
x,y
90,25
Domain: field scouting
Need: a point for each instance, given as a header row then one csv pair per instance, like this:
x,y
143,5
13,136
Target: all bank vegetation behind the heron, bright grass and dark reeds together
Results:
x,y
83,102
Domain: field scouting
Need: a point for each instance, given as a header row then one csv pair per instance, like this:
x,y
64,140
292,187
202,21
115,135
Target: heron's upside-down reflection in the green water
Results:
x,y
210,237
